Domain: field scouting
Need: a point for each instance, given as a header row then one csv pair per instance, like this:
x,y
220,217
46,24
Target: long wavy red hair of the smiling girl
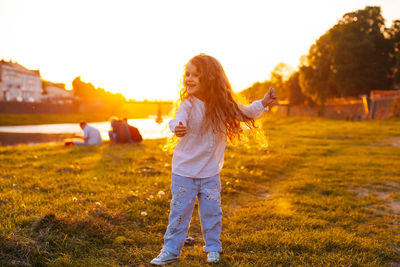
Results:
x,y
222,112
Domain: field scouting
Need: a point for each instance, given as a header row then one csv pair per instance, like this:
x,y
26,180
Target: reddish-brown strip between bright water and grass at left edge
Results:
x,y
8,139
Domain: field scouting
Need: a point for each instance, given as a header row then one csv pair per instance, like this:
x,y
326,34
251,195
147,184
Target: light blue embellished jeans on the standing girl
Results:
x,y
184,192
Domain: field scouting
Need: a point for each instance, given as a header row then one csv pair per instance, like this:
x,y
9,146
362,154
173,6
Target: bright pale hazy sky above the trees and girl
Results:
x,y
139,48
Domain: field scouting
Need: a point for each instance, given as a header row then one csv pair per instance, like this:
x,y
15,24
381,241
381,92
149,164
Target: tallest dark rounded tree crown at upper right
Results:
x,y
352,58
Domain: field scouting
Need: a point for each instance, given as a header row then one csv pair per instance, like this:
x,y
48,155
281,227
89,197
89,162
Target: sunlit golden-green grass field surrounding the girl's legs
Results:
x,y
307,191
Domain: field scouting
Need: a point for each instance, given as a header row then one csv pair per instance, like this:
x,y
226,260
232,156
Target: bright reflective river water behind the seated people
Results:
x,y
147,127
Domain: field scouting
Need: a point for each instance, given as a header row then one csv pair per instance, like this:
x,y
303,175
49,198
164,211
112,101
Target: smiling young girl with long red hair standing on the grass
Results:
x,y
206,117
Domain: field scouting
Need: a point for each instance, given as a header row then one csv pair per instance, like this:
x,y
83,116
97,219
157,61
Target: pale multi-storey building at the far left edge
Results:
x,y
17,83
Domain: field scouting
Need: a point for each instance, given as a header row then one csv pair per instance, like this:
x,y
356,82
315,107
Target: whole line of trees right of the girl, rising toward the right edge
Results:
x,y
355,56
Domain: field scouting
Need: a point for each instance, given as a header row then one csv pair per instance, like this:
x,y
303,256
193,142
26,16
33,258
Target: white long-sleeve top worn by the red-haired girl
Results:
x,y
200,154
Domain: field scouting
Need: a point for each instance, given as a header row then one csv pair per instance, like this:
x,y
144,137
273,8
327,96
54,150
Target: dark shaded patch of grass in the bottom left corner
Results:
x,y
50,237
